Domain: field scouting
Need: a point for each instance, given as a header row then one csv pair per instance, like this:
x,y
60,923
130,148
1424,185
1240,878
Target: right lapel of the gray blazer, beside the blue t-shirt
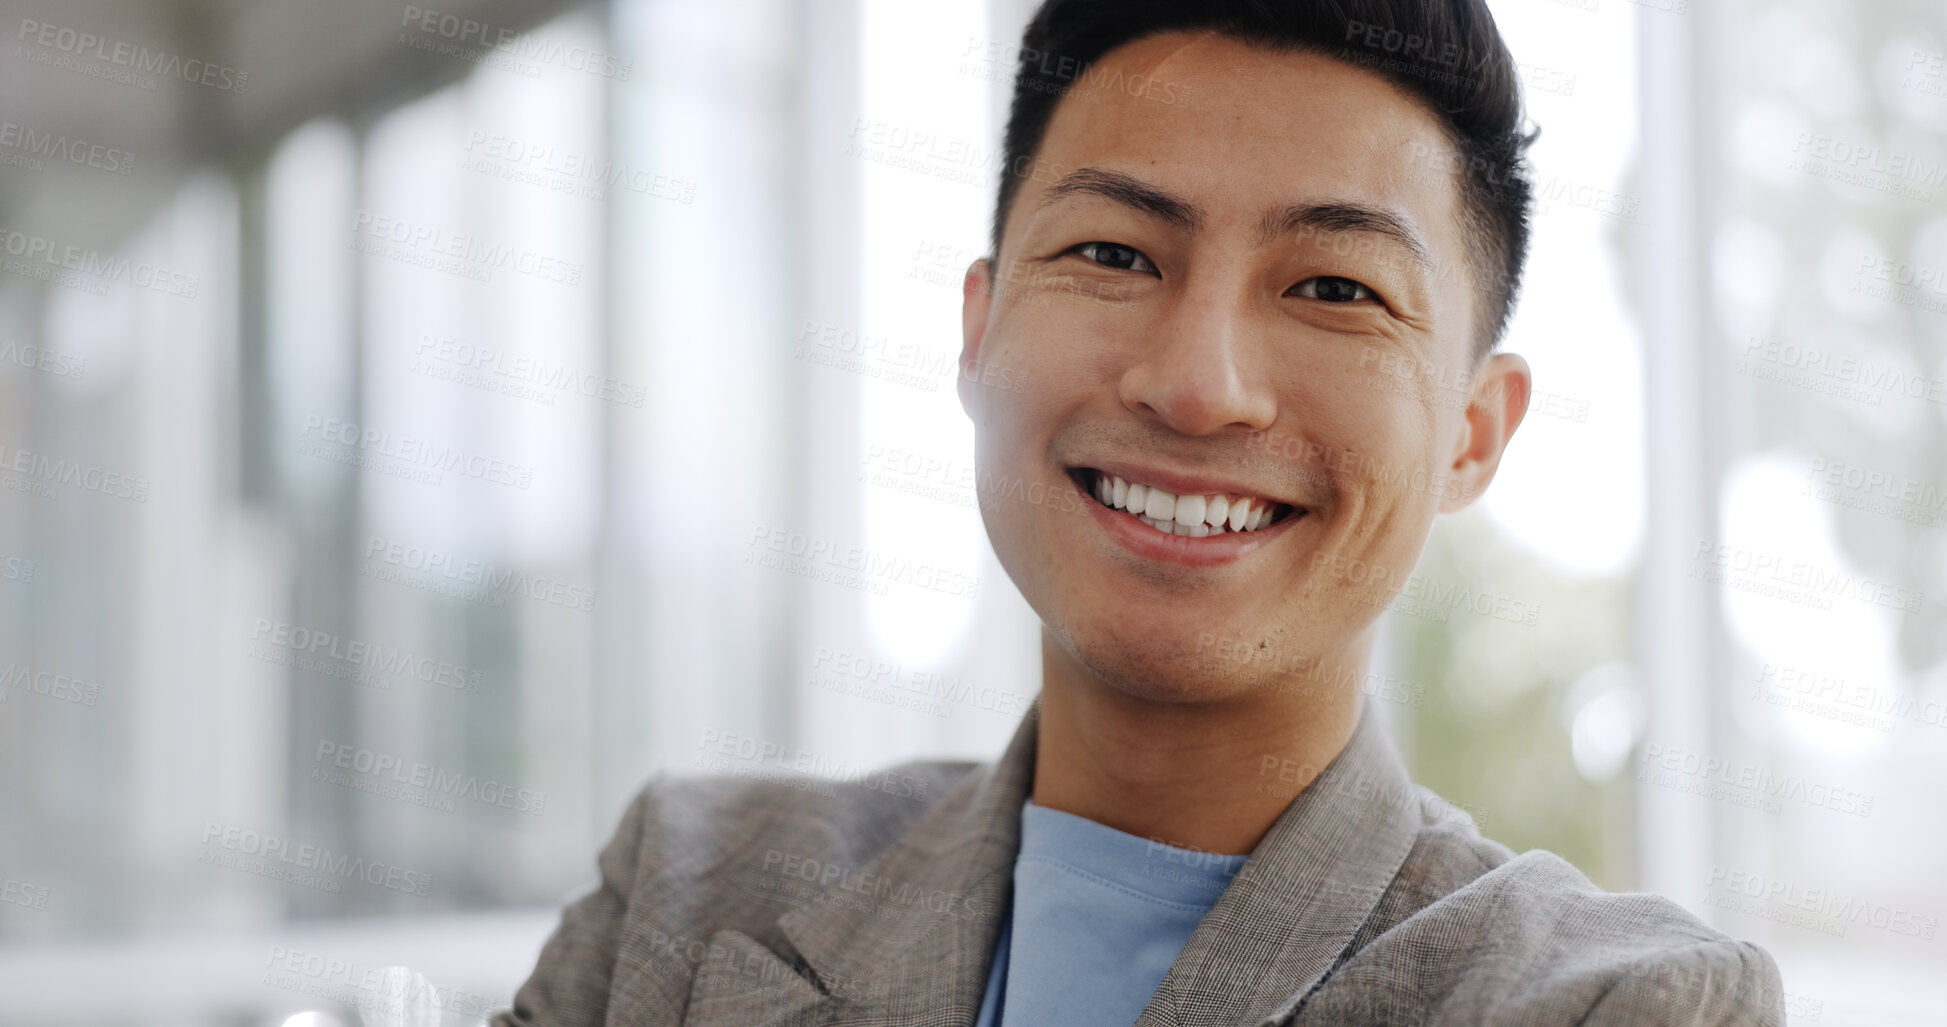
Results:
x,y
1302,897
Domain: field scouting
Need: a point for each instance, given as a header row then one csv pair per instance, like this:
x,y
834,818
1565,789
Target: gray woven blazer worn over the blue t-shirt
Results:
x,y
739,903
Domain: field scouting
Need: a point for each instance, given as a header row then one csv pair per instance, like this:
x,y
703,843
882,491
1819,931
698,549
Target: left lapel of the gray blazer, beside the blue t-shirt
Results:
x,y
908,936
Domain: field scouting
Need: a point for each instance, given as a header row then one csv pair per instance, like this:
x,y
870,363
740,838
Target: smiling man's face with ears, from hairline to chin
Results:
x,y
1249,297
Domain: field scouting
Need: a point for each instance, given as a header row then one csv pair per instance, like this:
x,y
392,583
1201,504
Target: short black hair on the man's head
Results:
x,y
1448,54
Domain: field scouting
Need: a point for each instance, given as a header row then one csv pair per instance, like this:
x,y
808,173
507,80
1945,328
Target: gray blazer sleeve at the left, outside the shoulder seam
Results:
x,y
571,981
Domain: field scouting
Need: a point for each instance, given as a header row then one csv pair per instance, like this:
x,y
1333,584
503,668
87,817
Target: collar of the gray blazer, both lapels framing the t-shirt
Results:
x,y
1284,923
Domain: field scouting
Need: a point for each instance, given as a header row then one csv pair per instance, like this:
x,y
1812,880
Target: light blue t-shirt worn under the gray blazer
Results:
x,y
1097,921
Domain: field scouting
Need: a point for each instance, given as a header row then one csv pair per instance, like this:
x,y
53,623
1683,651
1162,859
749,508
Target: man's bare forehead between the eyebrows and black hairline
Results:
x,y
1241,128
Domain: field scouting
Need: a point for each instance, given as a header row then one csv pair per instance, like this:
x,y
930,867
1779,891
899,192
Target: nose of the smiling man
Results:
x,y
1198,373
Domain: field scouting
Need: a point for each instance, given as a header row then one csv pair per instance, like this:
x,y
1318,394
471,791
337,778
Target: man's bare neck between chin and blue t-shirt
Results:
x,y
1200,775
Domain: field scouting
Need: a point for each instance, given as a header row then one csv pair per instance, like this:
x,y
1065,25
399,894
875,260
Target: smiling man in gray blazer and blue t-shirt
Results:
x,y
1255,258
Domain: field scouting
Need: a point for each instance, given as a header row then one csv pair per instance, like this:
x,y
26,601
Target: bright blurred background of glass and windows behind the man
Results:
x,y
422,424
